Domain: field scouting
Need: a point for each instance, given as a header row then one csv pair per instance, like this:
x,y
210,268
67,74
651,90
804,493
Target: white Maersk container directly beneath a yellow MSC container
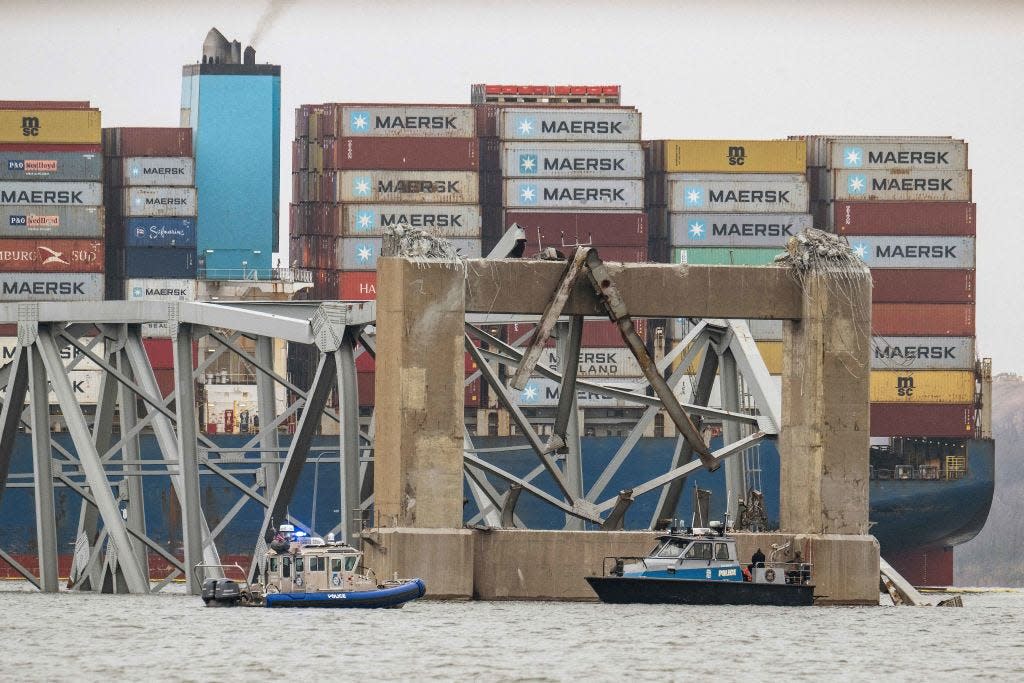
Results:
x,y
739,197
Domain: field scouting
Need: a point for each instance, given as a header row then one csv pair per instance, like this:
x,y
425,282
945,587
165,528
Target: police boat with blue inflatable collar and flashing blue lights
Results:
x,y
300,571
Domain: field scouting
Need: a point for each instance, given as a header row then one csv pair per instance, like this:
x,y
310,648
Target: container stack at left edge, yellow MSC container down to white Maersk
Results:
x,y
52,202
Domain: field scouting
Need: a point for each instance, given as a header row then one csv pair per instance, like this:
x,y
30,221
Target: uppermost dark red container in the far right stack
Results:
x,y
940,219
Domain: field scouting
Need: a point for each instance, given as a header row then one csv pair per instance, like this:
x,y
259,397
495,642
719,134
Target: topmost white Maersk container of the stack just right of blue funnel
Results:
x,y
403,121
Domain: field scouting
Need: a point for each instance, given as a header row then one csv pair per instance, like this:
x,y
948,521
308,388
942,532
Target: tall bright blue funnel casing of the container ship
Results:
x,y
235,113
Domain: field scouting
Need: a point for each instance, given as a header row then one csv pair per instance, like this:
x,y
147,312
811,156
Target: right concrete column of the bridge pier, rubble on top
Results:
x,y
826,434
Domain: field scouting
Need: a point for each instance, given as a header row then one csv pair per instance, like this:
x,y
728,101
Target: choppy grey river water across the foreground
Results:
x,y
86,637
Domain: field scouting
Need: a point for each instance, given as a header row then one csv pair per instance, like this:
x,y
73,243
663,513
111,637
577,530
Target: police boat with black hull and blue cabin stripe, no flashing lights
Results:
x,y
700,567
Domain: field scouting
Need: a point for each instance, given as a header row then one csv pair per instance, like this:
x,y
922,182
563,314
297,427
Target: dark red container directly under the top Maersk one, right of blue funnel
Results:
x,y
407,154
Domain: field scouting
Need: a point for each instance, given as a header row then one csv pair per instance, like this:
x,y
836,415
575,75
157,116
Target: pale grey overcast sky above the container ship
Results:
x,y
731,70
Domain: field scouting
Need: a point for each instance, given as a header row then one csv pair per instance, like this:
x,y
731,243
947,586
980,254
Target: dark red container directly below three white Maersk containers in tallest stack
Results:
x,y
551,228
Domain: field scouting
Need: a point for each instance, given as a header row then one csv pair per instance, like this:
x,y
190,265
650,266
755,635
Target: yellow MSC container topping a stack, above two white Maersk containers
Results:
x,y
736,156
